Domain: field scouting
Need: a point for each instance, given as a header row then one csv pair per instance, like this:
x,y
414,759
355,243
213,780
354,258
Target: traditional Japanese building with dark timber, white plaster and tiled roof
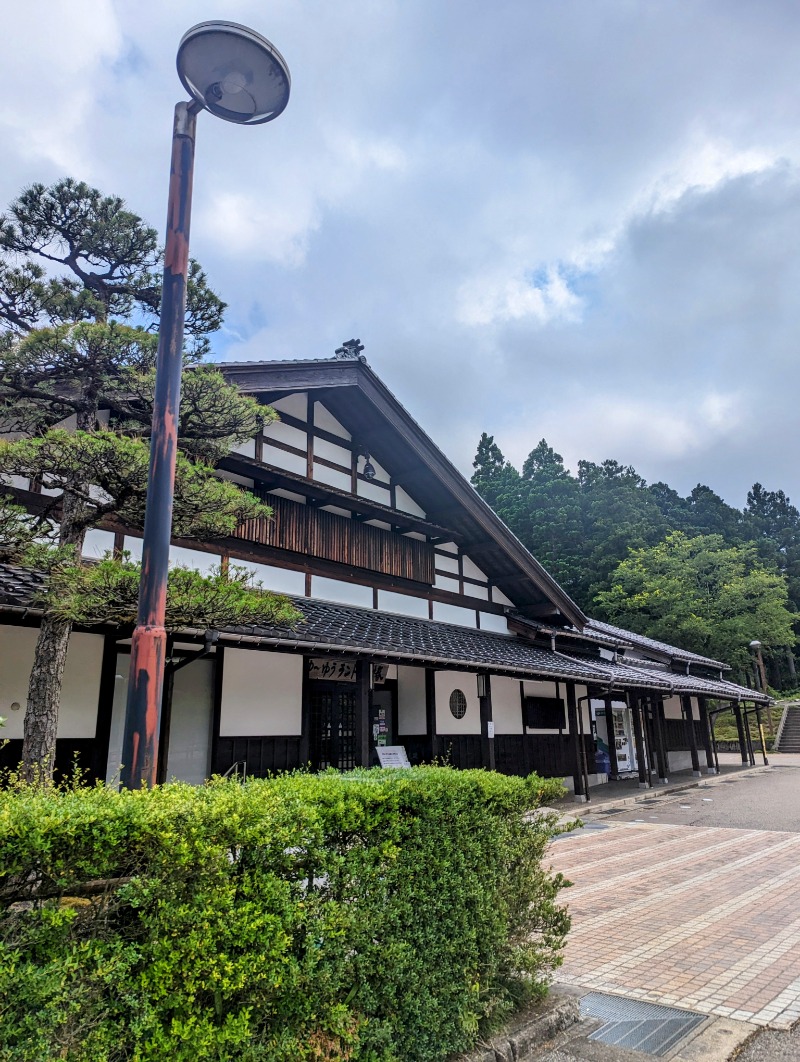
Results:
x,y
427,624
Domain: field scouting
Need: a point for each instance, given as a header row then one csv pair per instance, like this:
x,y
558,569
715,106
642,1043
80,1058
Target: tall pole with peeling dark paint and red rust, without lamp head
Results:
x,y
148,648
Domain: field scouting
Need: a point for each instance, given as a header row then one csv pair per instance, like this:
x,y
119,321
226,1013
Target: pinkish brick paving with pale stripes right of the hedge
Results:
x,y
676,915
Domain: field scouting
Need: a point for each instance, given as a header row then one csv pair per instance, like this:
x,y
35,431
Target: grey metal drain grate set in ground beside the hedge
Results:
x,y
639,1026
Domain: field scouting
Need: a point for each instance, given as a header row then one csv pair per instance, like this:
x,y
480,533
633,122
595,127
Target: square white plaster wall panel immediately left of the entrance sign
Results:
x,y
262,694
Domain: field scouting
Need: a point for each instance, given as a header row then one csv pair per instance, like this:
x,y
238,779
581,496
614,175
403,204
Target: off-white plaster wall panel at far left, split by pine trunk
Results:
x,y
81,690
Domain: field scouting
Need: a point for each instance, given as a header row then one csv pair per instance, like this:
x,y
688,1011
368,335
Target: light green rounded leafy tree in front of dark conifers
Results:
x,y
703,595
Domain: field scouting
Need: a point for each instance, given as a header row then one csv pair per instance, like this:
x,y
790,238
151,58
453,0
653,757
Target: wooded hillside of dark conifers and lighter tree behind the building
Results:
x,y
693,571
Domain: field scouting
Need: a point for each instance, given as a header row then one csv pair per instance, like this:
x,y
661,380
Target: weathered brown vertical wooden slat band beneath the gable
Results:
x,y
305,529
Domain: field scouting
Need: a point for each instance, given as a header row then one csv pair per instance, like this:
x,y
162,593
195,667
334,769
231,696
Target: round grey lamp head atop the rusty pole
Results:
x,y
234,73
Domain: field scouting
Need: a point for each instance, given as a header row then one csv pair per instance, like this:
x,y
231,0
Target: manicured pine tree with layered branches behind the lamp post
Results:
x,y
79,294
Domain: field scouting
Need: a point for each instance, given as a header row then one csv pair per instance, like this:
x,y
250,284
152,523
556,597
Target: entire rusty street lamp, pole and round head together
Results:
x,y
239,76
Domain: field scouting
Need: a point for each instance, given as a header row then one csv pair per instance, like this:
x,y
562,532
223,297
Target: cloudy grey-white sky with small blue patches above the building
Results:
x,y
570,219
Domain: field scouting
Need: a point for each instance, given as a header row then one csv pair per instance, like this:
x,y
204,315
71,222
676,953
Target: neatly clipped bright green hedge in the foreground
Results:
x,y
371,916
